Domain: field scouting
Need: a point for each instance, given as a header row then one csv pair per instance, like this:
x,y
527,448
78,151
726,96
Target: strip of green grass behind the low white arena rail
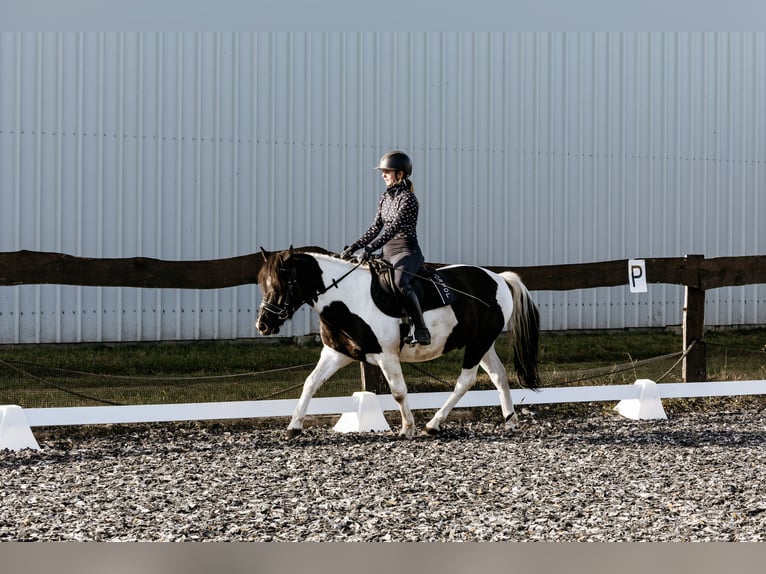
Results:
x,y
89,374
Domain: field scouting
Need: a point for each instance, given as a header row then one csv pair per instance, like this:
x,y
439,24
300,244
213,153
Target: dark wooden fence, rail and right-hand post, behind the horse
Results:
x,y
695,272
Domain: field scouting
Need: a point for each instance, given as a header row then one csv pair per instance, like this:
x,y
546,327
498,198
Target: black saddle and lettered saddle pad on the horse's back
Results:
x,y
428,283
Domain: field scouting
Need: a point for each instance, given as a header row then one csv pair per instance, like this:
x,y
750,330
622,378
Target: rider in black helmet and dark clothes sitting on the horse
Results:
x,y
393,229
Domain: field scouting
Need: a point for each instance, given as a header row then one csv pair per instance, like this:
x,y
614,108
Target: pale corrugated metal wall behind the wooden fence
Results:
x,y
529,149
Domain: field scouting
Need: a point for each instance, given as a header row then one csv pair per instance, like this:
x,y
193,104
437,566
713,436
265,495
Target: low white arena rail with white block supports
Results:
x,y
363,411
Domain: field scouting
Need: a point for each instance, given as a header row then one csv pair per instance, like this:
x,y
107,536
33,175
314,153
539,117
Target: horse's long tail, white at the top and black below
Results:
x,y
525,331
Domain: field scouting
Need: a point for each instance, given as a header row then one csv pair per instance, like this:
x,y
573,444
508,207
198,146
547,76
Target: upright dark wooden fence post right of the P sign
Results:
x,y
694,368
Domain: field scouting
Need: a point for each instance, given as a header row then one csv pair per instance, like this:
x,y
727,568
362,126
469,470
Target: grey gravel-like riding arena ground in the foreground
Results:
x,y
693,477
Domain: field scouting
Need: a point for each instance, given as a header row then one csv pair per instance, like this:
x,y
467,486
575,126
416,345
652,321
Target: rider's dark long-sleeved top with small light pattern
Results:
x,y
395,223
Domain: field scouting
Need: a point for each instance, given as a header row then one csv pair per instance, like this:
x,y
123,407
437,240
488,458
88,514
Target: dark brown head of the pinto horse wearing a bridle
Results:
x,y
288,279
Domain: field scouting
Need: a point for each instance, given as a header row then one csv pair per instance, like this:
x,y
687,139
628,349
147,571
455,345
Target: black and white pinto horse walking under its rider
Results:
x,y
354,328
